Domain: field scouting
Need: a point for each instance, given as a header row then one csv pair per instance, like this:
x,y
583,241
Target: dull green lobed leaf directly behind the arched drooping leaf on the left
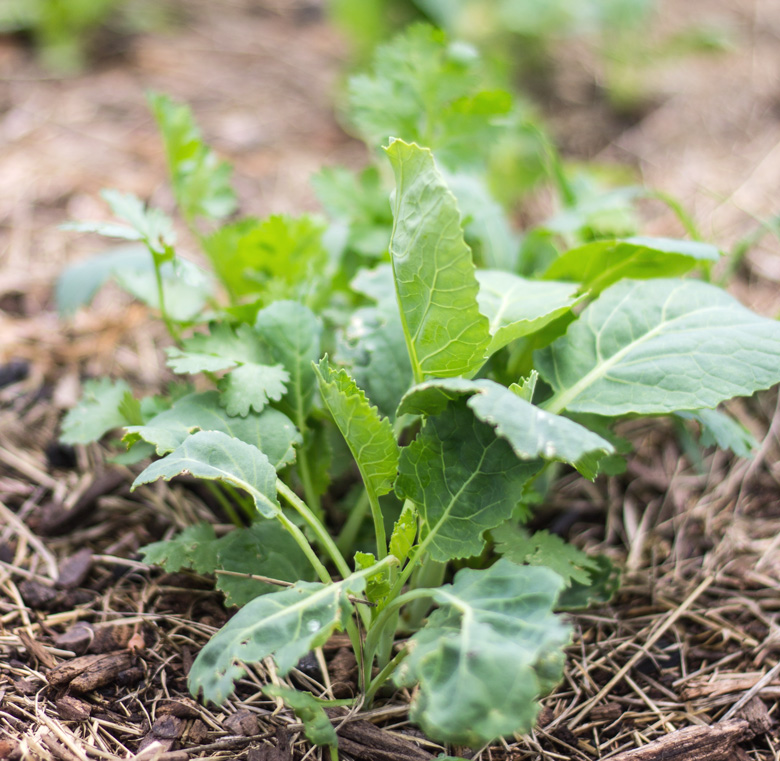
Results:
x,y
270,431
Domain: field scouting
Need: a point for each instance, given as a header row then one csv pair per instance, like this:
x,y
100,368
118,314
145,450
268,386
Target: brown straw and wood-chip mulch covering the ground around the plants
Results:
x,y
95,645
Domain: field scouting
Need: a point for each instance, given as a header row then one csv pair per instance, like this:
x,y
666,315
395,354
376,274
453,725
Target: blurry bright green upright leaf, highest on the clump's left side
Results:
x,y
201,182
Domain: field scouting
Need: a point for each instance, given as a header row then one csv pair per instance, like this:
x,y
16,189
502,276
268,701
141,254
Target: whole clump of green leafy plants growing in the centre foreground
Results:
x,y
380,409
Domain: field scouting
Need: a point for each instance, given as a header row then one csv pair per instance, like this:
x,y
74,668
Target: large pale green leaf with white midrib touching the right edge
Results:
x,y
659,346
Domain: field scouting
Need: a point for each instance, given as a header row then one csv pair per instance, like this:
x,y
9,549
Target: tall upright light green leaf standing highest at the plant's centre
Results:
x,y
434,275
